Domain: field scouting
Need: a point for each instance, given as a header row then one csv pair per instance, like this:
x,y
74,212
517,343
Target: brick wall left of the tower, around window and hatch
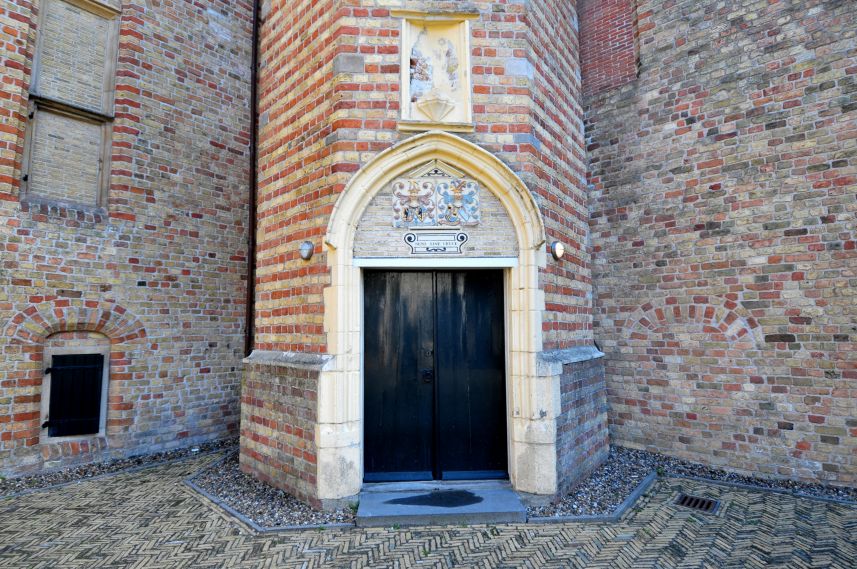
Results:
x,y
161,269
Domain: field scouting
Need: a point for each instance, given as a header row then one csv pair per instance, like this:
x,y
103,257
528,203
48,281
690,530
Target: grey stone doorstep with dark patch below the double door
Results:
x,y
439,503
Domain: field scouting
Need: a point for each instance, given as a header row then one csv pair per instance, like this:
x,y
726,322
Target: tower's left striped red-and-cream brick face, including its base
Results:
x,y
299,179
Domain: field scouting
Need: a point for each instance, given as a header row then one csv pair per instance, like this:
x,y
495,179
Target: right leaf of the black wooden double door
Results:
x,y
471,394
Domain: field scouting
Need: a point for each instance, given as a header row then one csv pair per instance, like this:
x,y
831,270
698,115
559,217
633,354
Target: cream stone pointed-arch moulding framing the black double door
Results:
x,y
532,397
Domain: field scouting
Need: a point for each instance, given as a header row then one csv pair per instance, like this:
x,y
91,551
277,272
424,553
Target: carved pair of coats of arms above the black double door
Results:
x,y
435,196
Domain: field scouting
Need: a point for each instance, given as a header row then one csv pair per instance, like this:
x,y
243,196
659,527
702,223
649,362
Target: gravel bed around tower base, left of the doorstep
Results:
x,y
263,504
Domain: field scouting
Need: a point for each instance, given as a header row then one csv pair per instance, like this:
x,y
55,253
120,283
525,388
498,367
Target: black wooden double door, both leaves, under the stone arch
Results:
x,y
434,377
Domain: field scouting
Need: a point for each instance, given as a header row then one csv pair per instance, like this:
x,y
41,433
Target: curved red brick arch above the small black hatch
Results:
x,y
37,322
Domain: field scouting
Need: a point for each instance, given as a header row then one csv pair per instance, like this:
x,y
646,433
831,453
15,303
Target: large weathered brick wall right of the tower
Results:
x,y
723,186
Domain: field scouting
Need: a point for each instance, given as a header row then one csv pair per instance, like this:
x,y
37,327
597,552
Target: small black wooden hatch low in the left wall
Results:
x,y
75,398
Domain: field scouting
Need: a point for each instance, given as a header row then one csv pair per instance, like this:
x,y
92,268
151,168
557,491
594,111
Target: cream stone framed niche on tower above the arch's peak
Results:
x,y
435,82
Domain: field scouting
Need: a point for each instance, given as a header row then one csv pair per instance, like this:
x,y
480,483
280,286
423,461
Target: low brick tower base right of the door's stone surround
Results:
x,y
582,440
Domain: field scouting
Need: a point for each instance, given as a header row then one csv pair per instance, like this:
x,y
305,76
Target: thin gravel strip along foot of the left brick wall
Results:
x,y
84,471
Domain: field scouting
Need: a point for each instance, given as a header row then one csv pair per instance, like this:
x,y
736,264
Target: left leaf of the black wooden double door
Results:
x,y
398,336
